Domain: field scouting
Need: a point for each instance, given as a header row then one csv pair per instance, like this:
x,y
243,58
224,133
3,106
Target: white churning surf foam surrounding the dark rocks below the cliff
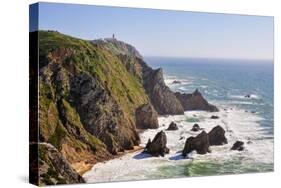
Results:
x,y
238,124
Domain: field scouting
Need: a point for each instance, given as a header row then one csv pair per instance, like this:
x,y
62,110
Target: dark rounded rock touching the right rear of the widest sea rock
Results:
x,y
217,136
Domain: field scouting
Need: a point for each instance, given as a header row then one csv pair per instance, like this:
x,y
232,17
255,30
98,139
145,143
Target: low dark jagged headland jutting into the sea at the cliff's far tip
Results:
x,y
195,101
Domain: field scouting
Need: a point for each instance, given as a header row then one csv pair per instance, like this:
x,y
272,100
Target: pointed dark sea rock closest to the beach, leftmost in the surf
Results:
x,y
158,145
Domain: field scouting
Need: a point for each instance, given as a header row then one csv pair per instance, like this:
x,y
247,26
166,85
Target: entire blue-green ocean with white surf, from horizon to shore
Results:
x,y
224,83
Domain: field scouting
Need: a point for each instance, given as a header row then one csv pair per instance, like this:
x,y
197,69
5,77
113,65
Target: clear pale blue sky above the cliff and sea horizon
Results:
x,y
162,32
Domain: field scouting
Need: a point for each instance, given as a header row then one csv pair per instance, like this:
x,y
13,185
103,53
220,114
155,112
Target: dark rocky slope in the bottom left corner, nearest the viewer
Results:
x,y
53,167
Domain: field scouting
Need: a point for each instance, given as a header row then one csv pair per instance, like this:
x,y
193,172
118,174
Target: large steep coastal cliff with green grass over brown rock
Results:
x,y
93,98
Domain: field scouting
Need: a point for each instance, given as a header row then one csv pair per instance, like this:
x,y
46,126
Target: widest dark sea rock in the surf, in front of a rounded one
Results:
x,y
200,144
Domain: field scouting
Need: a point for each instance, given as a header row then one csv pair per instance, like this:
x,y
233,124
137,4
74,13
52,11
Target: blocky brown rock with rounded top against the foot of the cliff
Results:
x,y
146,117
